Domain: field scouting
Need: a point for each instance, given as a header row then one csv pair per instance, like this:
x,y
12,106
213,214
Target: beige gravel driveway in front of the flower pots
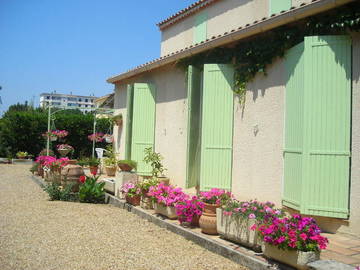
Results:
x,y
39,234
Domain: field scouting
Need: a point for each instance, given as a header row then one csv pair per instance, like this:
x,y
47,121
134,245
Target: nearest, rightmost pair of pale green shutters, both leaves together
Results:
x,y
317,142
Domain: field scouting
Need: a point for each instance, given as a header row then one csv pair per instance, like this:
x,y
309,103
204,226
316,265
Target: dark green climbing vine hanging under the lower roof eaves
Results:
x,y
252,56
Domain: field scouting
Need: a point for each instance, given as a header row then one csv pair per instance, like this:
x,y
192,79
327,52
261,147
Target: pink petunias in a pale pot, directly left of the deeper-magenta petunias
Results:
x,y
165,198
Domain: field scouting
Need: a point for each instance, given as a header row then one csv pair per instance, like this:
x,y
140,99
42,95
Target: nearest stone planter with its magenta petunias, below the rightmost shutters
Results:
x,y
295,241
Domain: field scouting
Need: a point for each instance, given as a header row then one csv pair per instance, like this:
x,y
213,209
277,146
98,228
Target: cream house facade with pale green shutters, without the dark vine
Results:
x,y
292,139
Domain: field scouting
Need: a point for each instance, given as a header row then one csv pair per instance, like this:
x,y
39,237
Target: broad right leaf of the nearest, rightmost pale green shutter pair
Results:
x,y
327,107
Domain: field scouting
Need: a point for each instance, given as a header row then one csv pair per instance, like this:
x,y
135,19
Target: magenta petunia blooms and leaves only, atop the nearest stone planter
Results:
x,y
294,233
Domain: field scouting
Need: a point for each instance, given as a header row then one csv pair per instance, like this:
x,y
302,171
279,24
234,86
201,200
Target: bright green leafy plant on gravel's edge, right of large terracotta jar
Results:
x,y
91,191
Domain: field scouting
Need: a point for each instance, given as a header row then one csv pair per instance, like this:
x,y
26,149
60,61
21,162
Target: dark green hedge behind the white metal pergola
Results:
x,y
21,131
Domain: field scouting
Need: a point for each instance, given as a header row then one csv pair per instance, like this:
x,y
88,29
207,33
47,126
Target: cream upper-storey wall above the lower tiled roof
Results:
x,y
223,16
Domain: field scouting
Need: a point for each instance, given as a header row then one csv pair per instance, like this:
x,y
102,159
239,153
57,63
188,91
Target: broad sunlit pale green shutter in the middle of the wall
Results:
x,y
217,127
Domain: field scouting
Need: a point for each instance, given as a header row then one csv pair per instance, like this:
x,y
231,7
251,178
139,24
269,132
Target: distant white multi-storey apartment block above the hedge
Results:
x,y
85,103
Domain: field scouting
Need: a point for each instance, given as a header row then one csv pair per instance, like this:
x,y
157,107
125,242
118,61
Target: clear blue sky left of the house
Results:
x,y
75,45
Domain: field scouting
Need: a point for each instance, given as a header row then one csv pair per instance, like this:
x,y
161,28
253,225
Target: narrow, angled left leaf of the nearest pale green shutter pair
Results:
x,y
294,103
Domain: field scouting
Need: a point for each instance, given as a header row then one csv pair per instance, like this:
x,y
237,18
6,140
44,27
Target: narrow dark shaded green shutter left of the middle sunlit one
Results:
x,y
194,127
